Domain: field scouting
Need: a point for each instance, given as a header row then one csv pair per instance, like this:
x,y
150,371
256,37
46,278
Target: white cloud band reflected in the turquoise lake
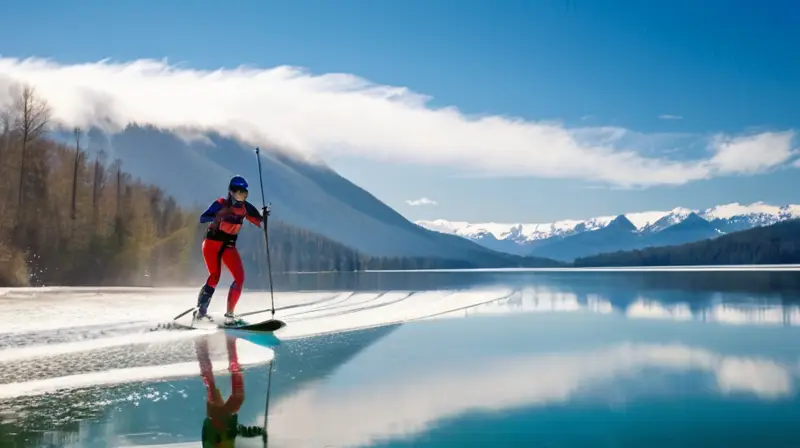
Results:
x,y
323,414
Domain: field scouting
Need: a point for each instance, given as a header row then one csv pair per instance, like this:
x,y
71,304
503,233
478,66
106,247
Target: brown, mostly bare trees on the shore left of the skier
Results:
x,y
69,219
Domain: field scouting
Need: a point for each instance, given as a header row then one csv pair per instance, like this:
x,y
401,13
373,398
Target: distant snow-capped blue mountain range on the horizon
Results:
x,y
570,239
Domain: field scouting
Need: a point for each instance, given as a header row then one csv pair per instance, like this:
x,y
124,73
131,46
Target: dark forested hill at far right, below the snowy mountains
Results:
x,y
775,244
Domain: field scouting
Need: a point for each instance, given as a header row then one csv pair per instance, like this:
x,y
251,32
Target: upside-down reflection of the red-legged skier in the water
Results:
x,y
221,425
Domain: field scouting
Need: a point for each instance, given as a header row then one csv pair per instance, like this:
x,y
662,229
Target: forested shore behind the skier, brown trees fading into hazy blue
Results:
x,y
68,218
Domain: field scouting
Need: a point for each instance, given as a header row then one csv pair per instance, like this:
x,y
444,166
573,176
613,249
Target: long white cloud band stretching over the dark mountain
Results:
x,y
342,114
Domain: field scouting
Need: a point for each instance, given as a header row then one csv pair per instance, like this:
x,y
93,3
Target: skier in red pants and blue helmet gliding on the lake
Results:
x,y
226,216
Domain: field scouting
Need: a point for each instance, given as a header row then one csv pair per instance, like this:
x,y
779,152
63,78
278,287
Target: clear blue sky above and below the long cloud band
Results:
x,y
722,66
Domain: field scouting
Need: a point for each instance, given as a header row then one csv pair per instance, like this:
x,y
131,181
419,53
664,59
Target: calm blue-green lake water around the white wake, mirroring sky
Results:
x,y
548,359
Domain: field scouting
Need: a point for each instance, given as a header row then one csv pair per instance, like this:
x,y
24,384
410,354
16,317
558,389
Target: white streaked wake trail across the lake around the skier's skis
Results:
x,y
66,338
